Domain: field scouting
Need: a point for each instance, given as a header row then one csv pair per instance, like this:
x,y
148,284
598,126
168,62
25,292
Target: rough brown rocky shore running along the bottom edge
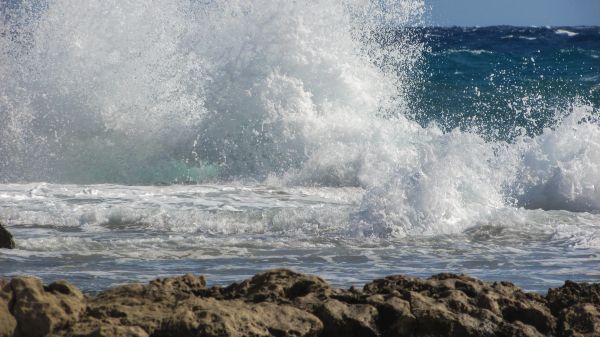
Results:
x,y
284,303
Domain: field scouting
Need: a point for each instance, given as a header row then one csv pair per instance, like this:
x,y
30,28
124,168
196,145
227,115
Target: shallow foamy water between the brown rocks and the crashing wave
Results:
x,y
101,235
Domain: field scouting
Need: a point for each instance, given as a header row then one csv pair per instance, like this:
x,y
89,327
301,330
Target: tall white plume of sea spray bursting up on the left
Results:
x,y
97,91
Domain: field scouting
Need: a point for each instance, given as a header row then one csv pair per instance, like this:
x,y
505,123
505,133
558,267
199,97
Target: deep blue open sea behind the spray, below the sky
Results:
x,y
495,79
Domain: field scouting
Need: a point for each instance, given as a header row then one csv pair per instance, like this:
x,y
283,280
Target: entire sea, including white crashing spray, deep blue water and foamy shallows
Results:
x,y
341,138
